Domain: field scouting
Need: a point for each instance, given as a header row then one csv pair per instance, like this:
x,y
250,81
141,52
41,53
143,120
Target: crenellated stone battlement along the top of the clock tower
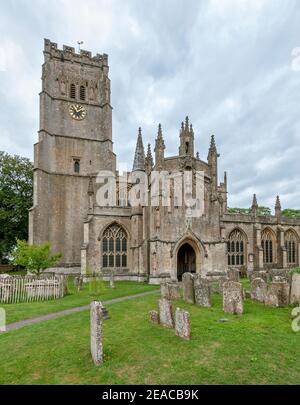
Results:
x,y
68,53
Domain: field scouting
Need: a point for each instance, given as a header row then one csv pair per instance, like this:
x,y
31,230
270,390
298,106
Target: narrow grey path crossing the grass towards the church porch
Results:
x,y
31,321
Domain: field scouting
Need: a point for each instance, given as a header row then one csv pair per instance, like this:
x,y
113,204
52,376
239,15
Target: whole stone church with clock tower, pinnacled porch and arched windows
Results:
x,y
140,242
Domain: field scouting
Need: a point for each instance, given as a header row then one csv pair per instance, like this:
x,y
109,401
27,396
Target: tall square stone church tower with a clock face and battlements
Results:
x,y
74,144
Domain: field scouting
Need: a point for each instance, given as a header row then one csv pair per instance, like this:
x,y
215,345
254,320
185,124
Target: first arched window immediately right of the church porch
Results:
x,y
236,248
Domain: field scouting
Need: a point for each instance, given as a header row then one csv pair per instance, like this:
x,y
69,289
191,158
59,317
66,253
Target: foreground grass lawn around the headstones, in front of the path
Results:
x,y
258,347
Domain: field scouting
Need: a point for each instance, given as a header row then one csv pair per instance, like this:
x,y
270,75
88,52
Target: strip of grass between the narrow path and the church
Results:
x,y
90,291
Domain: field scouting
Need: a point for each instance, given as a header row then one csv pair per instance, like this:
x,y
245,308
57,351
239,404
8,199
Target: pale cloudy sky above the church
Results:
x,y
233,66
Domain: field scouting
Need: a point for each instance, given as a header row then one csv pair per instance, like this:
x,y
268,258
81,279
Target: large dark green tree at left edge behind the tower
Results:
x,y
16,174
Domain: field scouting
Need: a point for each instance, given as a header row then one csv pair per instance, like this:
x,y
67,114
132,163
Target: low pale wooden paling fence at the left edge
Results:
x,y
31,288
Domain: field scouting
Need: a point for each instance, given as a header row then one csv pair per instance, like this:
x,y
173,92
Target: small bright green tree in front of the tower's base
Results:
x,y
35,257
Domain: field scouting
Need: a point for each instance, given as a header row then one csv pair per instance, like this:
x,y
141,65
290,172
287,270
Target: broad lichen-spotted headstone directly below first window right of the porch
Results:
x,y
233,297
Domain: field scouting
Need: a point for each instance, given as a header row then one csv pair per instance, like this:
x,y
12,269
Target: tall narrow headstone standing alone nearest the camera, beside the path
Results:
x,y
96,318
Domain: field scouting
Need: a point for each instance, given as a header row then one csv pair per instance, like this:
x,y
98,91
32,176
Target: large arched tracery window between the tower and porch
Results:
x,y
114,247
